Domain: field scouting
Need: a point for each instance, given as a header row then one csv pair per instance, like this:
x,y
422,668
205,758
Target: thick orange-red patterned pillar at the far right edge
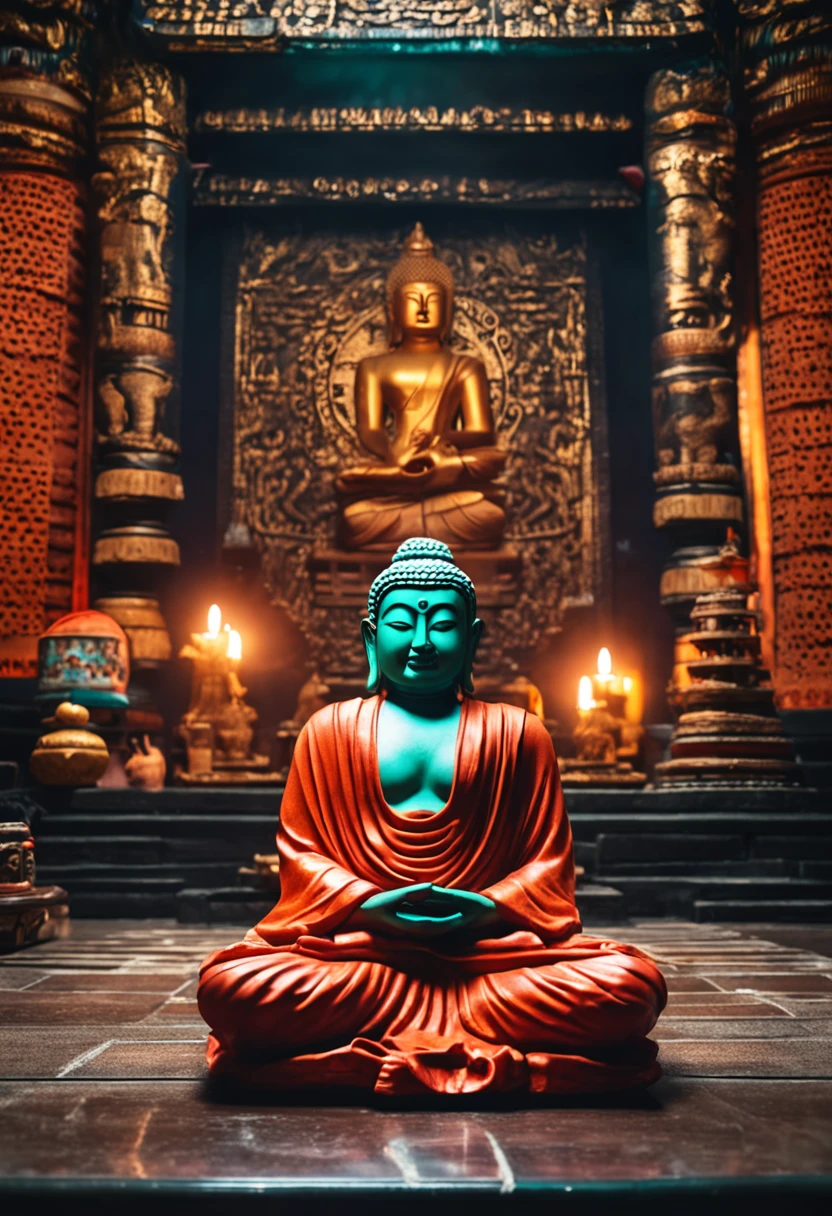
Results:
x,y
788,59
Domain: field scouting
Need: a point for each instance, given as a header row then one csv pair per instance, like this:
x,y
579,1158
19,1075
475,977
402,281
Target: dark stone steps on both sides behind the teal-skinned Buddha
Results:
x,y
706,855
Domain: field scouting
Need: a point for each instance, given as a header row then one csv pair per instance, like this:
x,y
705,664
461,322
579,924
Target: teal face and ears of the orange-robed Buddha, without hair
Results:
x,y
424,641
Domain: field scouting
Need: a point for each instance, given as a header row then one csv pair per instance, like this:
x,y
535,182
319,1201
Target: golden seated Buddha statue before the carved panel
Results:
x,y
425,415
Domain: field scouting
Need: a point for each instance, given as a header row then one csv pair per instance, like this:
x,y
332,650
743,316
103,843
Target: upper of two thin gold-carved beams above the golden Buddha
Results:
x,y
415,119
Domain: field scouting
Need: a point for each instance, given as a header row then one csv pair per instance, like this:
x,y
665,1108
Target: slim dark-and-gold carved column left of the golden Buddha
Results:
x,y
140,189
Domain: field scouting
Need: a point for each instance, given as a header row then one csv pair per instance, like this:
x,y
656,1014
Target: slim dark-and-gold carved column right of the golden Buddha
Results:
x,y
692,170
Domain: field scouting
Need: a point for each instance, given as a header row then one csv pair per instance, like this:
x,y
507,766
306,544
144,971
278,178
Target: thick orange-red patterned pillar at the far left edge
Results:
x,y
44,416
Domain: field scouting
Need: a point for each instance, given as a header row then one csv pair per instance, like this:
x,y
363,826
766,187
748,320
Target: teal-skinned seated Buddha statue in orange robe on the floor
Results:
x,y
426,938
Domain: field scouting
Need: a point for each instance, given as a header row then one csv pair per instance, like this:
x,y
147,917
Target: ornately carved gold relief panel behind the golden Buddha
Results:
x,y
311,308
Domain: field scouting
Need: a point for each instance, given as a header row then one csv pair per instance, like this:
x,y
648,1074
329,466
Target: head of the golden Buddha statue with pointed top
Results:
x,y
420,292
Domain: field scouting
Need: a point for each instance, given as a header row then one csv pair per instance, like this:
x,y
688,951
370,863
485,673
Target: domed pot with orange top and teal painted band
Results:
x,y
85,658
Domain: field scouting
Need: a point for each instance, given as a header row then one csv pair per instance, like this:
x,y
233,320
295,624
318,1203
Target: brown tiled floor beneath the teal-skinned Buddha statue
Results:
x,y
105,1097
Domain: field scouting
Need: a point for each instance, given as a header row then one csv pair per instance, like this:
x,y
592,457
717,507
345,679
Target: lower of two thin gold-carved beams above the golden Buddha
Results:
x,y
221,190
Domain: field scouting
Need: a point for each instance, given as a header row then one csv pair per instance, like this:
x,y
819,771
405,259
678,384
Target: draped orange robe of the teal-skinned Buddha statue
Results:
x,y
537,1007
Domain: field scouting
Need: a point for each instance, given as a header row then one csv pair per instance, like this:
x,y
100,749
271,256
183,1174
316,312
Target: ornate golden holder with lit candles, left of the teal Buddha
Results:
x,y
218,727
